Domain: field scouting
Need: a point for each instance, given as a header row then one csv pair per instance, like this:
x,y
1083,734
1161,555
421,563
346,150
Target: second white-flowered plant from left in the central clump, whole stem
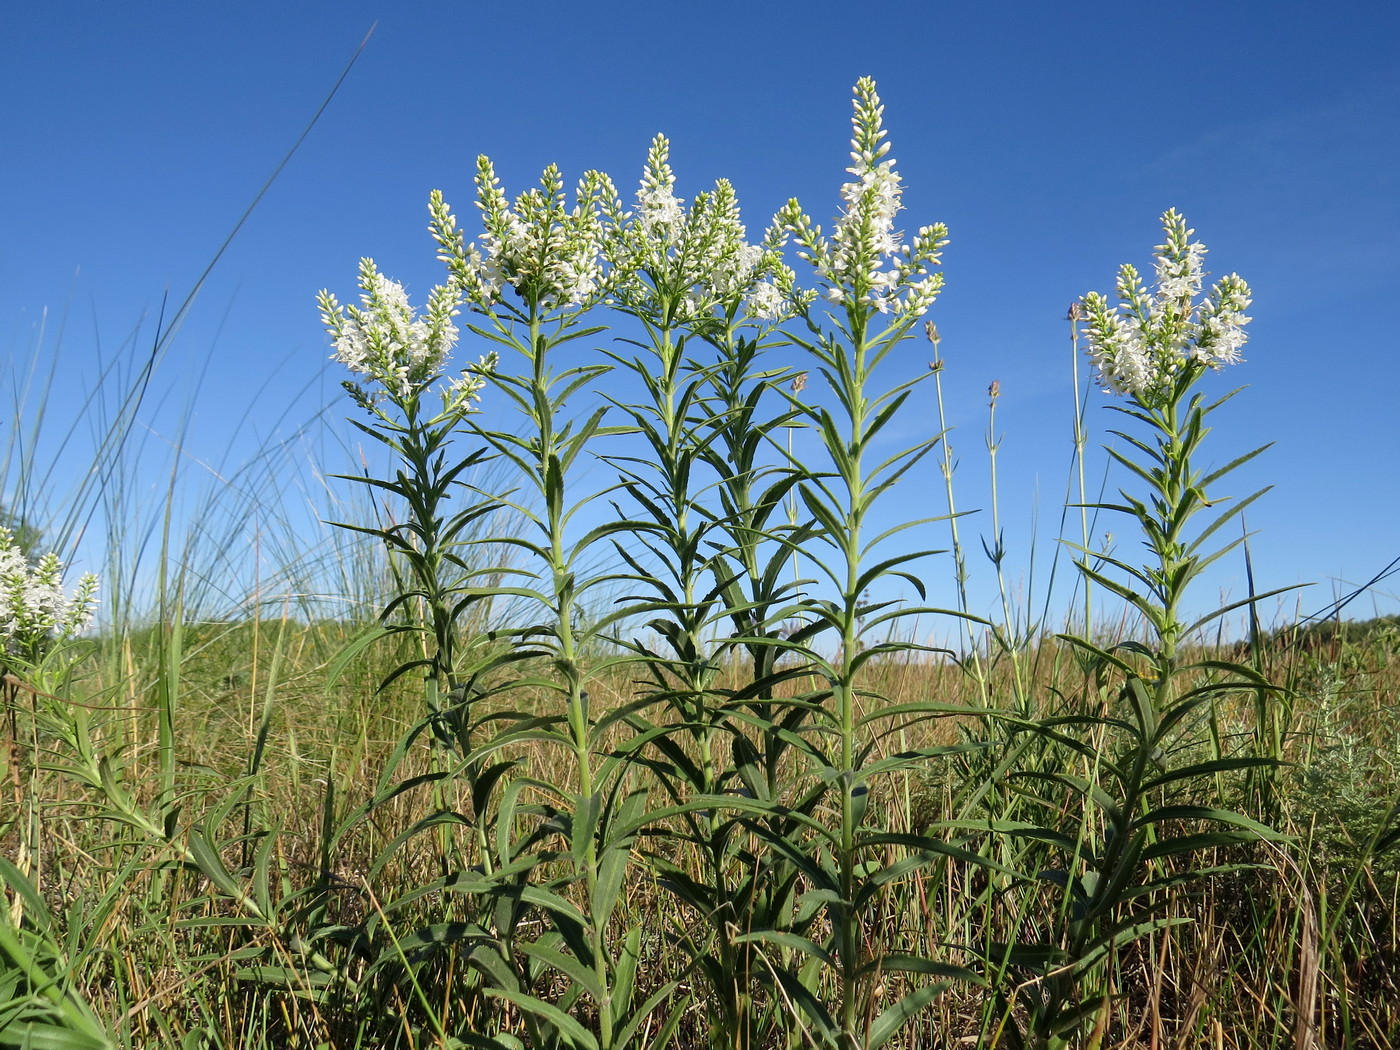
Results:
x,y
534,276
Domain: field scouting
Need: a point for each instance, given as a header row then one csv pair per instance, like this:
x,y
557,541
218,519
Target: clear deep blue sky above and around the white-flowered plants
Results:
x,y
1048,136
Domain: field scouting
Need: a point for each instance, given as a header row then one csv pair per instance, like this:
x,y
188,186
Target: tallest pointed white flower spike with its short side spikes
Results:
x,y
866,262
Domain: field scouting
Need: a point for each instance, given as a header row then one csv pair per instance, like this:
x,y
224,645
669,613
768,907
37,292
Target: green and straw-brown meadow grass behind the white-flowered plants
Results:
x,y
153,951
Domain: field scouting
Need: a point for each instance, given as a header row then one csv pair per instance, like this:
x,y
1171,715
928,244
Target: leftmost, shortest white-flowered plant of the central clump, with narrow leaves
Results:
x,y
400,360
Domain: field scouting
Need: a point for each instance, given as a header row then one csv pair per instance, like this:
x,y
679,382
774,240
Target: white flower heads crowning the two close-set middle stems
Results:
x,y
694,265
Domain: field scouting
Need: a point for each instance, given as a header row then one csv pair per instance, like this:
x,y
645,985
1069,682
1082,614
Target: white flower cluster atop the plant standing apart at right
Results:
x,y
1142,346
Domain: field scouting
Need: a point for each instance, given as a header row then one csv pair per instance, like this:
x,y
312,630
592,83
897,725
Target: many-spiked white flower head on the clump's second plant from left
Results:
x,y
545,251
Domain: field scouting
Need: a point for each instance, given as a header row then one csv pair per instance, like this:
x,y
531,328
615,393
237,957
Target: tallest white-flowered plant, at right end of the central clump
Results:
x,y
878,288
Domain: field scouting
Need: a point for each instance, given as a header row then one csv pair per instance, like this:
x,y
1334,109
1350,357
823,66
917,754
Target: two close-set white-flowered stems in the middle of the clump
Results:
x,y
706,565
